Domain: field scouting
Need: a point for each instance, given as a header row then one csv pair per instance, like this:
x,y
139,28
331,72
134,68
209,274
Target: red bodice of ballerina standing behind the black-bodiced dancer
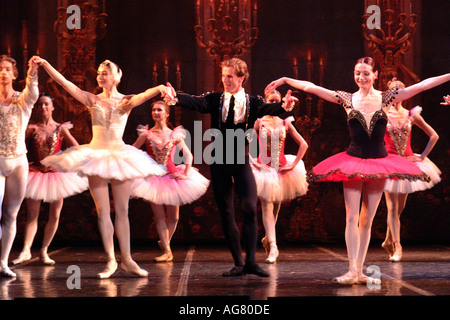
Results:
x,y
398,138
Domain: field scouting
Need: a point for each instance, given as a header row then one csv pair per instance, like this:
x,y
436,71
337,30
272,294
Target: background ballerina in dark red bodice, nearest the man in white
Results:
x,y
44,137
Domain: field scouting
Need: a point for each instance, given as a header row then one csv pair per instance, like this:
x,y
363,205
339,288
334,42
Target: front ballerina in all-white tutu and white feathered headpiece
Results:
x,y
107,159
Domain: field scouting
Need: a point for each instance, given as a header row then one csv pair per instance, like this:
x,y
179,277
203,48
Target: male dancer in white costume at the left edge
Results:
x,y
15,112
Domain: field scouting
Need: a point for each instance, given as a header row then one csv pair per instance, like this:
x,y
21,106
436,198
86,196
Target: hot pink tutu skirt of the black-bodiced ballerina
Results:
x,y
343,167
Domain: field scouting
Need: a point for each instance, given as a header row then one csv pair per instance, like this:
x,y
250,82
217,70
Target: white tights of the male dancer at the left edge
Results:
x,y
13,184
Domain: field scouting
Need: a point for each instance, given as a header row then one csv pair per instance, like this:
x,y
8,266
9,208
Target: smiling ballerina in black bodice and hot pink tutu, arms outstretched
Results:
x,y
365,166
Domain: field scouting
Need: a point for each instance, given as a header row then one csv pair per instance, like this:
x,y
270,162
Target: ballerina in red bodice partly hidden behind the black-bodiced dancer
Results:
x,y
398,141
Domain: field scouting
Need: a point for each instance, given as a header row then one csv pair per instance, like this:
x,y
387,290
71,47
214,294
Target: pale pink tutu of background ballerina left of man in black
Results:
x,y
169,191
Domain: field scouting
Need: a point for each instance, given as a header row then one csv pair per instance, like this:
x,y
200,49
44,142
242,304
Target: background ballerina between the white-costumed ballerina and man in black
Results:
x,y
182,184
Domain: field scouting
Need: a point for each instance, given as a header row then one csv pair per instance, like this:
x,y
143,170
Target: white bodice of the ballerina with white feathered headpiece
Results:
x,y
108,125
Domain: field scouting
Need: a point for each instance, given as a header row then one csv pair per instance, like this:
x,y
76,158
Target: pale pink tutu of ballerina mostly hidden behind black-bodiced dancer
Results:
x,y
405,186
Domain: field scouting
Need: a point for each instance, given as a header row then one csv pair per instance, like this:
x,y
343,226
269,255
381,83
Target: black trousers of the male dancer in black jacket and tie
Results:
x,y
227,179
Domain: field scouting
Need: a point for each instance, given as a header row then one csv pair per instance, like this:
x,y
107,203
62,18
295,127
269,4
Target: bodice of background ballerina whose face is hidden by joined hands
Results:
x,y
271,142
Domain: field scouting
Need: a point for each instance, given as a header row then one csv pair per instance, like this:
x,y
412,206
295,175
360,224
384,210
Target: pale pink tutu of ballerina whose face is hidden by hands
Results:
x,y
275,186
